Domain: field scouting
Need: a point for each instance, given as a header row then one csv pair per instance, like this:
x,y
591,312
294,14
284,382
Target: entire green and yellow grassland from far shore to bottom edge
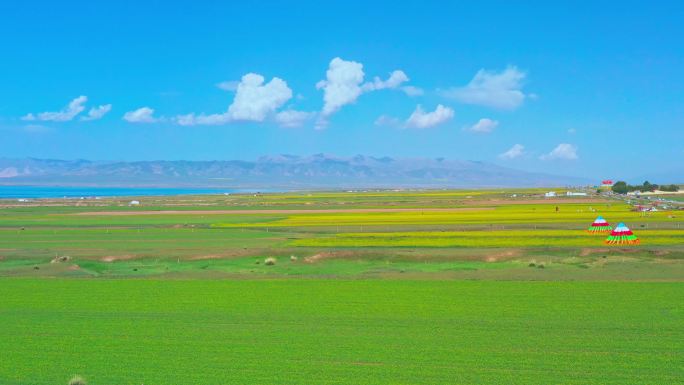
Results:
x,y
481,287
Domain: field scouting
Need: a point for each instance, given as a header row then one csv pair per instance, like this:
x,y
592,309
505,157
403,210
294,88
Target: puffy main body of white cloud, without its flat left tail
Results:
x,y
255,100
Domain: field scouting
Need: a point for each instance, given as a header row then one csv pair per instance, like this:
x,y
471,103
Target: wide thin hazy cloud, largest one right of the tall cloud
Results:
x,y
500,90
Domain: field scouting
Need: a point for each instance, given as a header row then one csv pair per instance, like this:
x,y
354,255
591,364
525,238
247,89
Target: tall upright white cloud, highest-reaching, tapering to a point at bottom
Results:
x,y
342,85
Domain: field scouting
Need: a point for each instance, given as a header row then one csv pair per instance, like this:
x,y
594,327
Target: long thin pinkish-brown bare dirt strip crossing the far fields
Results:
x,y
280,211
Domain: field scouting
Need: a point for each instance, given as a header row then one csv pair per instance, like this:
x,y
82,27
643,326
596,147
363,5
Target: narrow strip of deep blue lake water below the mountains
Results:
x,y
33,192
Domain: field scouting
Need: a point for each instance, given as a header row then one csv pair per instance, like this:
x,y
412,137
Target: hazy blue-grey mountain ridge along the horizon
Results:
x,y
280,171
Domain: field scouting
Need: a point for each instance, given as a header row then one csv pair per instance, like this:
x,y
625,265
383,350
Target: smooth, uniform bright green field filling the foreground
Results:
x,y
340,332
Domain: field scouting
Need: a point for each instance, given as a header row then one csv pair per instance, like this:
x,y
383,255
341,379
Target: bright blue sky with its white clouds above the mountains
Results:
x,y
576,88
